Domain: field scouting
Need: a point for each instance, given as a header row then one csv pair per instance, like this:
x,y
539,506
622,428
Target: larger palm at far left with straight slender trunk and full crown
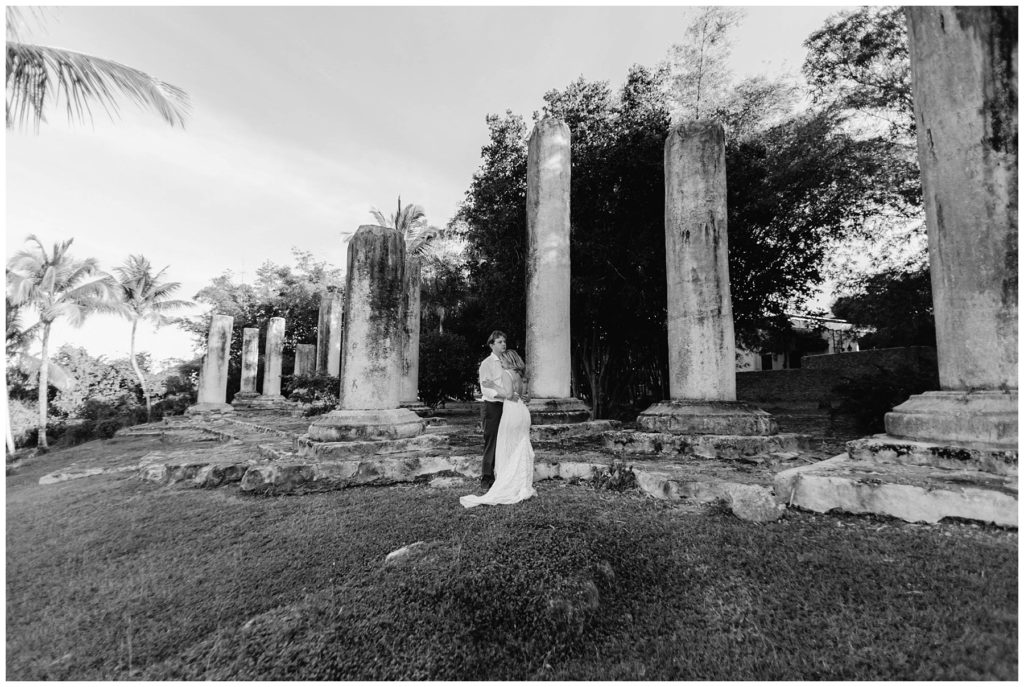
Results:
x,y
58,286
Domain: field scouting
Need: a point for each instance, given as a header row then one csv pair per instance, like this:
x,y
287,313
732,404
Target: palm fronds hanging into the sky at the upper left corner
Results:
x,y
37,75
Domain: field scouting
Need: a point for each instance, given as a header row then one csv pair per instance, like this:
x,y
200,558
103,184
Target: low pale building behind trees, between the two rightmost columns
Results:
x,y
812,336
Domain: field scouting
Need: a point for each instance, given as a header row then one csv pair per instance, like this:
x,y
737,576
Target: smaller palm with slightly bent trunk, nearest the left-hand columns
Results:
x,y
144,296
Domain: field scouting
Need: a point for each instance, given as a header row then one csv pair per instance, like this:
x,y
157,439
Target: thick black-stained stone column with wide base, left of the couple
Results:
x,y
372,352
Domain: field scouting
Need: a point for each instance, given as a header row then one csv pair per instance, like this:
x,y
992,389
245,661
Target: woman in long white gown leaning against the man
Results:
x,y
514,454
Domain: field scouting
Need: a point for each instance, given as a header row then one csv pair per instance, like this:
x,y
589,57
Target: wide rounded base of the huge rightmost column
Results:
x,y
958,417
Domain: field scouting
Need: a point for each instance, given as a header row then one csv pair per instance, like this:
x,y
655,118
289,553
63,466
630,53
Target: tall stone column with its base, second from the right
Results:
x,y
702,342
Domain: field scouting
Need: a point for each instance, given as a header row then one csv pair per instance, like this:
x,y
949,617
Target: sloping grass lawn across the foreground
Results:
x,y
112,578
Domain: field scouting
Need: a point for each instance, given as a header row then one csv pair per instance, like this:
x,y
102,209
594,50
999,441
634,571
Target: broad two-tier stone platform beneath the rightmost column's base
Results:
x,y
917,482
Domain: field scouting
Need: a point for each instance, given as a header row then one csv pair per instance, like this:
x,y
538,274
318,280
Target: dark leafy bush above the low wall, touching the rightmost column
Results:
x,y
898,304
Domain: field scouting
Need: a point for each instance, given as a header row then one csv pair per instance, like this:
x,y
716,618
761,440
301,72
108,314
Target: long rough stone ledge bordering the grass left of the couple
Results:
x,y
306,477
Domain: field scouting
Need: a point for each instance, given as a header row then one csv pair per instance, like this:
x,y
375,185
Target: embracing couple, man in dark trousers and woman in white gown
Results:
x,y
508,456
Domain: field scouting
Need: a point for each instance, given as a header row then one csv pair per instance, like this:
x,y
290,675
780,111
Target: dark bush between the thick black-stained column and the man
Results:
x,y
448,368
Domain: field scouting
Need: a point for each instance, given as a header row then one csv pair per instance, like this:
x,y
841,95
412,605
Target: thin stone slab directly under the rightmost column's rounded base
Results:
x,y
885,449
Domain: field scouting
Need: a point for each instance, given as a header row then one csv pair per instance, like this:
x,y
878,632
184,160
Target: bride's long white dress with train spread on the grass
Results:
x,y
514,460
